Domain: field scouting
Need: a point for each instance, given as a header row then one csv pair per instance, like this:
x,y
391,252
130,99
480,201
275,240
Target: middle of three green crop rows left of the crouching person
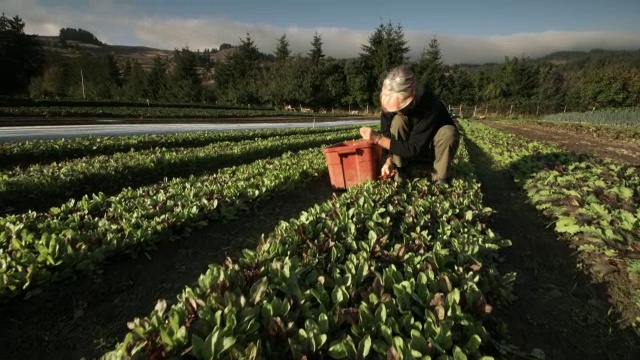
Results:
x,y
46,185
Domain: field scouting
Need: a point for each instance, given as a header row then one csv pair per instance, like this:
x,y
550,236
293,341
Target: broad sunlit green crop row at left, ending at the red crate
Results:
x,y
37,248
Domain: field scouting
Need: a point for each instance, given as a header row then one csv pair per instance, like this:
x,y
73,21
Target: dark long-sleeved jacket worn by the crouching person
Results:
x,y
427,115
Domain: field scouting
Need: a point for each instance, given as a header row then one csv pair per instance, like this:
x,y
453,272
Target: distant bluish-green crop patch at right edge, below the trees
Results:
x,y
624,117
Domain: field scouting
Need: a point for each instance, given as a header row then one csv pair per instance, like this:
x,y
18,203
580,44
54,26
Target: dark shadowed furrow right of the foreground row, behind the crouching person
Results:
x,y
557,309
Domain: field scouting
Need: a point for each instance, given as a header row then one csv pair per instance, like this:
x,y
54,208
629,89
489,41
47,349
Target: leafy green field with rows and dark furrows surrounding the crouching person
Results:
x,y
233,244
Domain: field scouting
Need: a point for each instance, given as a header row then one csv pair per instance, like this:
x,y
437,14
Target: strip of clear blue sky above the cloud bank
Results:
x,y
467,17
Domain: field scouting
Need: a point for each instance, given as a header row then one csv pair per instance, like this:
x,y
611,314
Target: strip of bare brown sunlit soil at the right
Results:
x,y
582,143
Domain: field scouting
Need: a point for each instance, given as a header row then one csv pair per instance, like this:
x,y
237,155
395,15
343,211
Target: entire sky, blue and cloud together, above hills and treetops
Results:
x,y
469,31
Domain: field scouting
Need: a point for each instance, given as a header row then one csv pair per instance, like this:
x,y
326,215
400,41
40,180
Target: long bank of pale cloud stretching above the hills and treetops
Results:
x,y
117,18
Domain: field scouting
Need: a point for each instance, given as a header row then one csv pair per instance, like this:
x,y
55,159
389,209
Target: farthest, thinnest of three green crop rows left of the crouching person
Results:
x,y
42,151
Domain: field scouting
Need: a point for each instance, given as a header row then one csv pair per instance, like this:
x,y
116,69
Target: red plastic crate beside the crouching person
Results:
x,y
352,163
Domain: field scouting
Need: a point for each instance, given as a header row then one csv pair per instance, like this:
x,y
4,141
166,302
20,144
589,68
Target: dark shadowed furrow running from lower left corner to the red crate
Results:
x,y
88,316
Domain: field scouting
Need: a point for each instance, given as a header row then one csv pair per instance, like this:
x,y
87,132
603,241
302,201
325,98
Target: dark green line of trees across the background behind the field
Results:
x,y
249,77
